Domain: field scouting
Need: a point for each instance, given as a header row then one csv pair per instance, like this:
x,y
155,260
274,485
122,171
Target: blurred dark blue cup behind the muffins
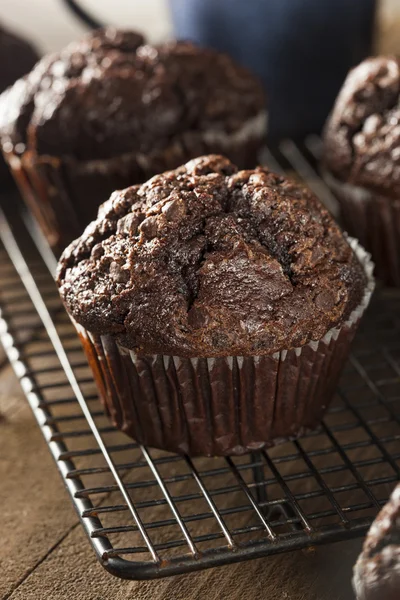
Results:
x,y
301,49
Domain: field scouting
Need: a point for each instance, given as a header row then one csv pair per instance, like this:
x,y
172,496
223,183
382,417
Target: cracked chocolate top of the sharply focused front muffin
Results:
x,y
210,261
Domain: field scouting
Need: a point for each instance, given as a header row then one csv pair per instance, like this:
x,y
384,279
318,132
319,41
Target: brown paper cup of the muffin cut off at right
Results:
x,y
375,220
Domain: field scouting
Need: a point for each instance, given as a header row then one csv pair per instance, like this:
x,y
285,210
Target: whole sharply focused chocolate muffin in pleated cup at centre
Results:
x,y
216,307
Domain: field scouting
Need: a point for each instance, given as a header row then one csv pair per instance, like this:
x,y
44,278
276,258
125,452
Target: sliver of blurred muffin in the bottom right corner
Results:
x,y
377,571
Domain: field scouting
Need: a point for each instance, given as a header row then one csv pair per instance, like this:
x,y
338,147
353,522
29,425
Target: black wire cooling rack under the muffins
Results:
x,y
149,513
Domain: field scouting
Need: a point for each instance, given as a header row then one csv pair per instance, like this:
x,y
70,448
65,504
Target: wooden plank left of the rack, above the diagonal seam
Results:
x,y
34,509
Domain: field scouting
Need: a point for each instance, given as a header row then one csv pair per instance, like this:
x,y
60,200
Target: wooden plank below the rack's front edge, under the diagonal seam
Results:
x,y
71,571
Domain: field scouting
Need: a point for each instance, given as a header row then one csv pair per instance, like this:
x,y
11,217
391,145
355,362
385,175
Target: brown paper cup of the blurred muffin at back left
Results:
x,y
64,194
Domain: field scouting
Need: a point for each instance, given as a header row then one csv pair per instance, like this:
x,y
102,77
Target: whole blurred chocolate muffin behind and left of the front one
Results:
x,y
110,111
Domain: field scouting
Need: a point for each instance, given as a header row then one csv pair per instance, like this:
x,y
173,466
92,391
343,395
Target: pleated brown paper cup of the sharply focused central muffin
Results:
x,y
222,406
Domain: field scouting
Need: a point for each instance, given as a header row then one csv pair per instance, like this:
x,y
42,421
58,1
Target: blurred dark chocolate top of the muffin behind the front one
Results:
x,y
110,94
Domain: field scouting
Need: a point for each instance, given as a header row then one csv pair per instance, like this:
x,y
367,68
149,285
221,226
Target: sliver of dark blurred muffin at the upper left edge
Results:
x,y
17,57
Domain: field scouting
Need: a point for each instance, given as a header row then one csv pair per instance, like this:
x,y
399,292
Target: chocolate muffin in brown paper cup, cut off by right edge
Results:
x,y
362,159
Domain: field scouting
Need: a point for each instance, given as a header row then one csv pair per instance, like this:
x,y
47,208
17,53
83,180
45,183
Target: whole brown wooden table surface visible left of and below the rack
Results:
x,y
44,552
